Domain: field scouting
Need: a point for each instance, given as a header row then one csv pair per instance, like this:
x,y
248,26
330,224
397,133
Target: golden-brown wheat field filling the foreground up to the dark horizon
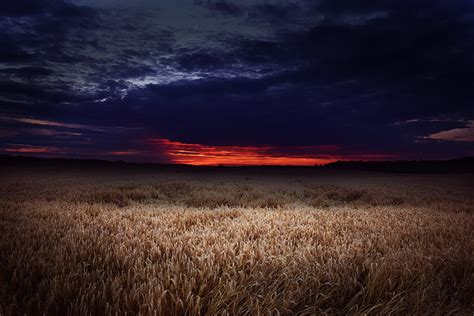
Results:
x,y
223,242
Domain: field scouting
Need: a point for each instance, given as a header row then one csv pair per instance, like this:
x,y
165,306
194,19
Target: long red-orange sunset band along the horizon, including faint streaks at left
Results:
x,y
176,152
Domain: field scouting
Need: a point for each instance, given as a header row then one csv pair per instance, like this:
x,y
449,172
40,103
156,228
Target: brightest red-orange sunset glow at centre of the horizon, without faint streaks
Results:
x,y
206,155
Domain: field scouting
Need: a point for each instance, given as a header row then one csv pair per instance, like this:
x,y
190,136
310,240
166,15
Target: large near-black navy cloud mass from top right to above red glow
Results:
x,y
353,78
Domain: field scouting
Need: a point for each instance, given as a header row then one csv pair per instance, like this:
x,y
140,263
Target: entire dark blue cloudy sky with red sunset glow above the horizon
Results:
x,y
249,82
